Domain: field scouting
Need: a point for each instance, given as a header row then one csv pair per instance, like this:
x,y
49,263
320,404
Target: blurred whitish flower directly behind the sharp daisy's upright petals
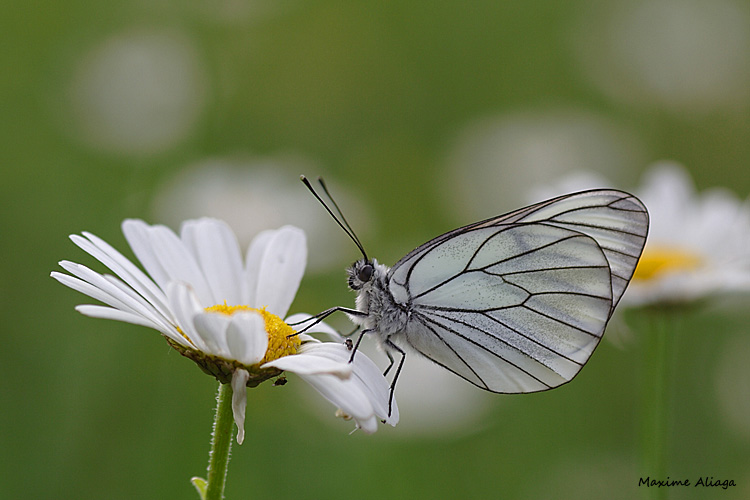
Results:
x,y
260,193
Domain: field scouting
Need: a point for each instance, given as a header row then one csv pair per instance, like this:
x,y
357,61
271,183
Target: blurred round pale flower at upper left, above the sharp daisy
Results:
x,y
139,92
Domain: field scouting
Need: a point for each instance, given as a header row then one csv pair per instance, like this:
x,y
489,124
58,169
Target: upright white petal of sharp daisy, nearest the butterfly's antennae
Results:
x,y
281,269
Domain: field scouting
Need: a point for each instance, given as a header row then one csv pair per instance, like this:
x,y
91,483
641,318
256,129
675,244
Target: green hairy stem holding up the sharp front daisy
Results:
x,y
221,444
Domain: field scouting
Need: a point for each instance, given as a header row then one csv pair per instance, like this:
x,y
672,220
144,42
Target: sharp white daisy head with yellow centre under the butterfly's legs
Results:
x,y
225,313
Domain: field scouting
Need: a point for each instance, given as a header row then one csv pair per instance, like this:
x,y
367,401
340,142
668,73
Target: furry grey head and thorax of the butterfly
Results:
x,y
384,316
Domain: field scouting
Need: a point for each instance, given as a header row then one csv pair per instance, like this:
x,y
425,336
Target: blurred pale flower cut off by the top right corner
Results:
x,y
682,55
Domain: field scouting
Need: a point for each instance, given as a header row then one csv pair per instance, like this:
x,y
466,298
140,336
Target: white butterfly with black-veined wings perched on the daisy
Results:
x,y
513,304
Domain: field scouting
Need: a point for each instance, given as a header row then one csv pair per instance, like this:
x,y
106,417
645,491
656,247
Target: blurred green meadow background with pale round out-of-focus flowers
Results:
x,y
415,111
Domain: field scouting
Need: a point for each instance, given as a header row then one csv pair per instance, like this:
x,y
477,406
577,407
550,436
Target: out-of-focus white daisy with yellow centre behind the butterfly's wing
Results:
x,y
698,243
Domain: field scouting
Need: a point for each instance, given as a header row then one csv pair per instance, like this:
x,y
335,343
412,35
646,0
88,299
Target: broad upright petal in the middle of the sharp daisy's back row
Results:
x,y
215,247
